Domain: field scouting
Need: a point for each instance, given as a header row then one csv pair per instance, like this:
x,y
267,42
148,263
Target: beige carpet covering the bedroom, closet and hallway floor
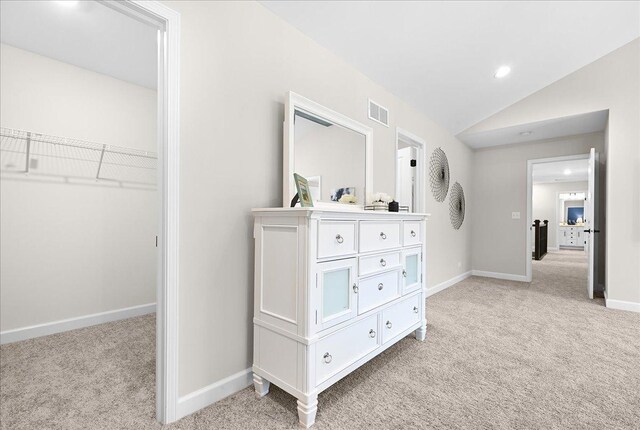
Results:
x,y
498,354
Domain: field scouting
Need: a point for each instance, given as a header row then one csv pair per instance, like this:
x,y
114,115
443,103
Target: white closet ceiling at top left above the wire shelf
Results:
x,y
85,34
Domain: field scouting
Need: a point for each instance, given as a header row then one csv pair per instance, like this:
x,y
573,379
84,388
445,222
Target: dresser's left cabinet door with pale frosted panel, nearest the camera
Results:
x,y
337,290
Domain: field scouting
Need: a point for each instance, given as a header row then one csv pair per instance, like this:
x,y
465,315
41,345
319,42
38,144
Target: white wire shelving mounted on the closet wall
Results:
x,y
26,152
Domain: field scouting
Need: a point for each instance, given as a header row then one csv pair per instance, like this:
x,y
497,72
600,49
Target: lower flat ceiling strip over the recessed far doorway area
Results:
x,y
549,129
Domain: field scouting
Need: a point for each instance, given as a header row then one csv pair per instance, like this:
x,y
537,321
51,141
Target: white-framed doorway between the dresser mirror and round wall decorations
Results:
x,y
410,151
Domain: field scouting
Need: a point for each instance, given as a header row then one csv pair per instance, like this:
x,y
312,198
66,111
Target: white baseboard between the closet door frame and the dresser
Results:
x,y
210,394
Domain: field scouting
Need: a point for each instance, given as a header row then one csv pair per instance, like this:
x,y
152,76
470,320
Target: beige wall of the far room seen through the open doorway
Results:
x,y
545,205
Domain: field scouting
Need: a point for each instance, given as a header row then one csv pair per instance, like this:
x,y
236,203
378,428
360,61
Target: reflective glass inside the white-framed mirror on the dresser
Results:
x,y
330,157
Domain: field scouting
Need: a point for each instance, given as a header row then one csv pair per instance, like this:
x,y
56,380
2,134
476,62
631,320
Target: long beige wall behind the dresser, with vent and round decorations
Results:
x,y
237,62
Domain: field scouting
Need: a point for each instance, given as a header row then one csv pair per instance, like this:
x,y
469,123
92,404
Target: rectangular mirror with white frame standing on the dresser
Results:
x,y
330,150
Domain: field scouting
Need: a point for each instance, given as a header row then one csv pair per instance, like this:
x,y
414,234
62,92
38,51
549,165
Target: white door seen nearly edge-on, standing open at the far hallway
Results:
x,y
591,222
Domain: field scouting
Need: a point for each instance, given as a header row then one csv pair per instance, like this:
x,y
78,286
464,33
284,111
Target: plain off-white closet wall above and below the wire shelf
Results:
x,y
71,249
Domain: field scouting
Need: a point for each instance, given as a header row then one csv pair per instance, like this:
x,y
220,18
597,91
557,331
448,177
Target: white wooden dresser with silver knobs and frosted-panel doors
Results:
x,y
333,289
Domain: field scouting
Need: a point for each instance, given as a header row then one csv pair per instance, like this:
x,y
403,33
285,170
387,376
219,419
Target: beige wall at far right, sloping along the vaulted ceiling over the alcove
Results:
x,y
612,82
